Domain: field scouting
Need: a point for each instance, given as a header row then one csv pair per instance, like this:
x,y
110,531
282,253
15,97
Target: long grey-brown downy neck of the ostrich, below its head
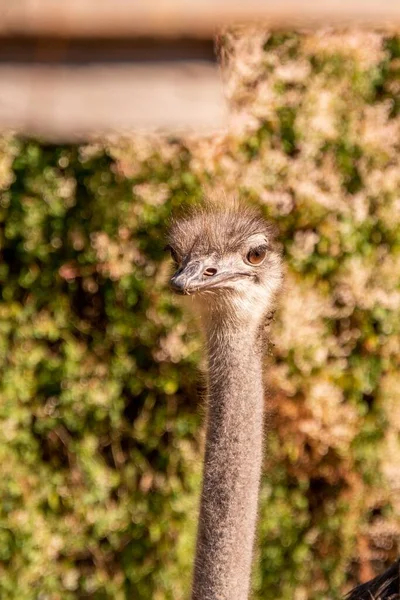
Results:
x,y
232,467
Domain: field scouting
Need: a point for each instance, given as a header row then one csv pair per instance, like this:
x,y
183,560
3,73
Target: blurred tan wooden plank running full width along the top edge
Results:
x,y
105,18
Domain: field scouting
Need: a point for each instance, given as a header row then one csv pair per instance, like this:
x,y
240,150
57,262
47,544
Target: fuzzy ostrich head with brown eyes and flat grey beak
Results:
x,y
226,259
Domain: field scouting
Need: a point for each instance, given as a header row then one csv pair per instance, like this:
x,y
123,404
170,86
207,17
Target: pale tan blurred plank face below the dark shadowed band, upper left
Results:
x,y
73,102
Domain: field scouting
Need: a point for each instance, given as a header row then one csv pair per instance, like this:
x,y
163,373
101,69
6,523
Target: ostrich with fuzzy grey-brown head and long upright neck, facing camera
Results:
x,y
226,258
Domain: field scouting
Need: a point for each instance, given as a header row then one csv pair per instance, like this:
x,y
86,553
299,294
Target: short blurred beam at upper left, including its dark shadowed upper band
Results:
x,y
68,90
